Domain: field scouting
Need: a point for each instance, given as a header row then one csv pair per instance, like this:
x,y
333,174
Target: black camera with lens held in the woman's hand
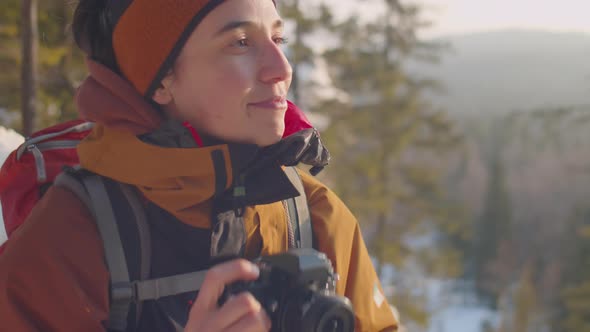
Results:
x,y
297,290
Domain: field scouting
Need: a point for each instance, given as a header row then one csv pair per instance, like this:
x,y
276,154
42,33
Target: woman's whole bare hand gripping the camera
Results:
x,y
241,312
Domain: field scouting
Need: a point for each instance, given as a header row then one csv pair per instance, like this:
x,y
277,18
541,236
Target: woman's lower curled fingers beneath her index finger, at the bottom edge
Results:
x,y
241,313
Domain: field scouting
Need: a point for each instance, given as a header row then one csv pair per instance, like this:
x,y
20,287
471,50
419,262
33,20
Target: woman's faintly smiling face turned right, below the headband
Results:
x,y
231,79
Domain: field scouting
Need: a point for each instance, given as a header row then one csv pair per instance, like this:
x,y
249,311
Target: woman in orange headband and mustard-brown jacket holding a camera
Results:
x,y
216,67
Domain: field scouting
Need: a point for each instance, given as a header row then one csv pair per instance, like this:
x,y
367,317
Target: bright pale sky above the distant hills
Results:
x,y
466,16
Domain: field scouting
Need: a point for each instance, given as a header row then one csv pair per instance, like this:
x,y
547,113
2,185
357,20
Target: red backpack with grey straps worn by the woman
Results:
x,y
49,157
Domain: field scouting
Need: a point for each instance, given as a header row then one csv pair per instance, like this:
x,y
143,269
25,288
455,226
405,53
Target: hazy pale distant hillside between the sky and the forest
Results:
x,y
511,70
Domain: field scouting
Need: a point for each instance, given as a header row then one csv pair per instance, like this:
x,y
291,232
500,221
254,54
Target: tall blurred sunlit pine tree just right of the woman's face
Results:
x,y
388,142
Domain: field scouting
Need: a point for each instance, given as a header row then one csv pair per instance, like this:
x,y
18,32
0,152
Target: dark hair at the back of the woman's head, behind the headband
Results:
x,y
92,27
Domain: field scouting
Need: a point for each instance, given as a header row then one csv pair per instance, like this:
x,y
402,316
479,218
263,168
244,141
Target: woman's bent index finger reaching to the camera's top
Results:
x,y
216,279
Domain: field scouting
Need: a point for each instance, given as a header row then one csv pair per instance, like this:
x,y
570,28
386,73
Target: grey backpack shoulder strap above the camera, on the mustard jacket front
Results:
x,y
299,212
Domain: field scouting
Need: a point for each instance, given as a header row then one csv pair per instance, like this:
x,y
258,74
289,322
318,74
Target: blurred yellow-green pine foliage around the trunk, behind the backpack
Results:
x,y
60,65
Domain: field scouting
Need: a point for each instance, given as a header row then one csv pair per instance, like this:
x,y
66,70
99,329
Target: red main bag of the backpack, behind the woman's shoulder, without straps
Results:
x,y
44,154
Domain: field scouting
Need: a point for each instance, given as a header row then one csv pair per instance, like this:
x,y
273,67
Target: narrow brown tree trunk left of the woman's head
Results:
x,y
29,34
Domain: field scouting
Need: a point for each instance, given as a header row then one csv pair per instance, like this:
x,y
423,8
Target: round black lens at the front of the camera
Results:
x,y
328,313
